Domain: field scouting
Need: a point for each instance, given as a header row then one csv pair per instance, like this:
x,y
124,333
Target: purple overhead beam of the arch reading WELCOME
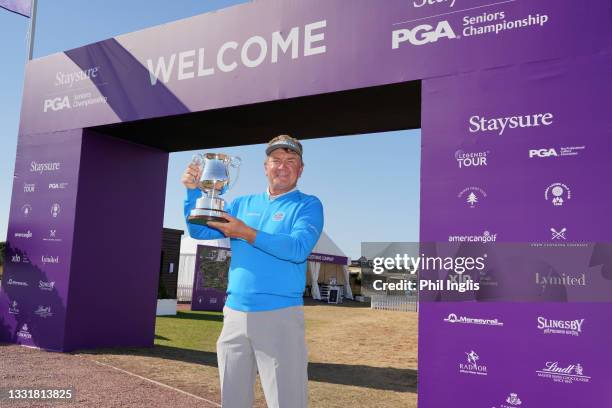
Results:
x,y
277,49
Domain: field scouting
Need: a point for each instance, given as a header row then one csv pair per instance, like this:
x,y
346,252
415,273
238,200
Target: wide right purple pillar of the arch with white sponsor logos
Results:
x,y
517,154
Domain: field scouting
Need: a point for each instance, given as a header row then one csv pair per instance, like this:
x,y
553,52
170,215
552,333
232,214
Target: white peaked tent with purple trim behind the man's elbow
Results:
x,y
321,271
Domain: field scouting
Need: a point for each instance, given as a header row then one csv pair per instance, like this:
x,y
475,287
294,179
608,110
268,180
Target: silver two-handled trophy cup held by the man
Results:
x,y
214,182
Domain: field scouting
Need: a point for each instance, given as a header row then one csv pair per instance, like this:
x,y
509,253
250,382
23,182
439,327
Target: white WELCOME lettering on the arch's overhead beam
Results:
x,y
189,64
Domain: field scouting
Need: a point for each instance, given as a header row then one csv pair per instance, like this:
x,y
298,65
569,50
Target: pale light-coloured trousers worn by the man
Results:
x,y
272,343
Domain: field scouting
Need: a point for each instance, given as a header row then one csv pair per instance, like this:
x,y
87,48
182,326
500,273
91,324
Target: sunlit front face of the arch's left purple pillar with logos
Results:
x,y
39,242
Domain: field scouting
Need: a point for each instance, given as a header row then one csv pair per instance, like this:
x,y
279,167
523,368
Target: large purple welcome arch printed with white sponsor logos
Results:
x,y
523,84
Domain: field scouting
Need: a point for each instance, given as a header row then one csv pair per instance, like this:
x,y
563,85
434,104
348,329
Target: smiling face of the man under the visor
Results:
x,y
283,169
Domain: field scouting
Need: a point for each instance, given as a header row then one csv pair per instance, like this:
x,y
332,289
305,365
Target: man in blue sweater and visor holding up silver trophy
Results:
x,y
271,235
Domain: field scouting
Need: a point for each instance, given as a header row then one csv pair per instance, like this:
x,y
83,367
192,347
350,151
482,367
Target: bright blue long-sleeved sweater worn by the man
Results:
x,y
270,273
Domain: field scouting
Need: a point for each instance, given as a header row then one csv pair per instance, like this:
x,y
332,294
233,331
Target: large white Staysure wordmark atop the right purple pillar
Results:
x,y
482,124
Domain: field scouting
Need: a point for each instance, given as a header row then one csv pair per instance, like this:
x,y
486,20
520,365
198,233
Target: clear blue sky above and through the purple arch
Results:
x,y
356,177
